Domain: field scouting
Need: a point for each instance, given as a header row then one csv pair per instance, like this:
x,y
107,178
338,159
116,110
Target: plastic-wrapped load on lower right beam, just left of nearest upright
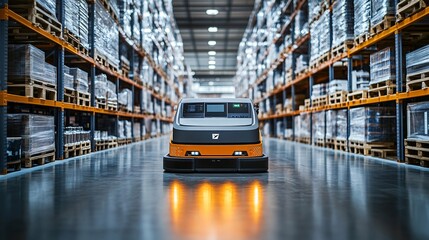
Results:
x,y
382,64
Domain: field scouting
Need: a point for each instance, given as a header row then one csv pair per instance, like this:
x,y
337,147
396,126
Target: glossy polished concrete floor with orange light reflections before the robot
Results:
x,y
309,193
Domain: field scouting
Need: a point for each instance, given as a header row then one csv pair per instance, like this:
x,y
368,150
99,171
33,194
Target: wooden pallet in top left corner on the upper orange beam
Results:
x,y
35,13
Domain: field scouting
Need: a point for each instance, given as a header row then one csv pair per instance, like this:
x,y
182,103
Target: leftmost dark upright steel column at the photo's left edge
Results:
x,y
3,87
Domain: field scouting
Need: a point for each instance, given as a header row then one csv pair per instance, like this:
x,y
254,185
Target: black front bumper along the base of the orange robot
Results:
x,y
214,164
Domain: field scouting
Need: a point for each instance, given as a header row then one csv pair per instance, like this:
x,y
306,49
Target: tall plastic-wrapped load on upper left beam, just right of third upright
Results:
x,y
106,34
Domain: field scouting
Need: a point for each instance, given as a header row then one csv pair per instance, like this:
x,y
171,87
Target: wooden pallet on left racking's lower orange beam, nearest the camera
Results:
x,y
32,88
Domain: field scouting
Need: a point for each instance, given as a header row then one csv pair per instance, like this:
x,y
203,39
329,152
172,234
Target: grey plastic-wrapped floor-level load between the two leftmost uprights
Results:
x,y
37,132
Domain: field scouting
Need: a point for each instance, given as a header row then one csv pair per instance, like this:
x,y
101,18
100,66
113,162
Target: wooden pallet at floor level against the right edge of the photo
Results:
x,y
418,151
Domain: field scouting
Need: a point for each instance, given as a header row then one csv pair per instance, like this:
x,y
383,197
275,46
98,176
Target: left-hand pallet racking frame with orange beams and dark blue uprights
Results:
x,y
62,51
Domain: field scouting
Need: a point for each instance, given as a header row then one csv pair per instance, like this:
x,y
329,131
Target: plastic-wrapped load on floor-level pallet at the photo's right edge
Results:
x,y
417,120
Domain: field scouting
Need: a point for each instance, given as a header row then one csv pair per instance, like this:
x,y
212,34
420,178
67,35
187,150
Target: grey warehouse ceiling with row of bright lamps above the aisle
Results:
x,y
194,22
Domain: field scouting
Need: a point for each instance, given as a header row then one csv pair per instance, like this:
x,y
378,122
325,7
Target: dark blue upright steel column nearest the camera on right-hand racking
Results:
x,y
399,105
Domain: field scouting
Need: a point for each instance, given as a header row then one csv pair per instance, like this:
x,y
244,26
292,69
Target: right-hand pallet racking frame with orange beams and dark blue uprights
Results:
x,y
392,35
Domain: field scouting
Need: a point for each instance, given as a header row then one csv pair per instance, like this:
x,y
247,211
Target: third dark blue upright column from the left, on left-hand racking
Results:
x,y
91,26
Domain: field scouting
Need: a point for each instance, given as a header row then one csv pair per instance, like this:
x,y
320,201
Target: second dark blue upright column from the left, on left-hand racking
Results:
x,y
59,62
